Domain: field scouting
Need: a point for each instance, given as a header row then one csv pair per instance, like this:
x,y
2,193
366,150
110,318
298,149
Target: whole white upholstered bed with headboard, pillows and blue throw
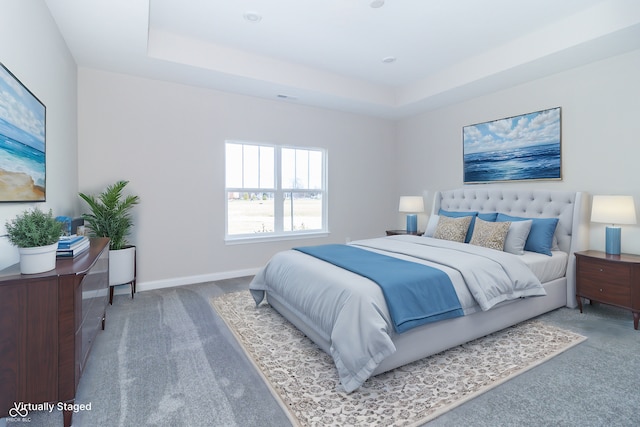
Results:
x,y
346,314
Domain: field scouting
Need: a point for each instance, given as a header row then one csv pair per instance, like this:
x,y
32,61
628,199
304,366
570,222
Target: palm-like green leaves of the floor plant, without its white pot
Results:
x,y
110,214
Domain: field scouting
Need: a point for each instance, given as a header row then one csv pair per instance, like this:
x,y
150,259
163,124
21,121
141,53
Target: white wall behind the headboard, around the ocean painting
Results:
x,y
600,135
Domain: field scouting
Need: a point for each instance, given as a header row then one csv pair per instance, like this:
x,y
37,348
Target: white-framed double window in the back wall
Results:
x,y
274,191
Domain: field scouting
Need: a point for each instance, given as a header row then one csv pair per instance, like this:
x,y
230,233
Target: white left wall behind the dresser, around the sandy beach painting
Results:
x,y
32,48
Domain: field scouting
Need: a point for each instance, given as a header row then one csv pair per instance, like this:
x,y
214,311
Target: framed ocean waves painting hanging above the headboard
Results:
x,y
525,147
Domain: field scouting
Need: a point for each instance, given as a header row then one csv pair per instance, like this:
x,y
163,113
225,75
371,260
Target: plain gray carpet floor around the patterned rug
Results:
x,y
167,359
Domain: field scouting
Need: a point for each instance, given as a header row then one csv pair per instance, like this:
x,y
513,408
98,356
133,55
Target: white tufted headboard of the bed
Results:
x,y
570,208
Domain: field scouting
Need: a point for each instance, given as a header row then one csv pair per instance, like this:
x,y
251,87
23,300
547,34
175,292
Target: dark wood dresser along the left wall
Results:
x,y
48,322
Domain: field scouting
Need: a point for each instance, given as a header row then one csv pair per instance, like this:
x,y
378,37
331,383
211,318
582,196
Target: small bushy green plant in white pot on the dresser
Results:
x,y
36,235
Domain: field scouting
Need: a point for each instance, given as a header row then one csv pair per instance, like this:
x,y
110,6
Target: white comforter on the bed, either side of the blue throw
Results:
x,y
350,312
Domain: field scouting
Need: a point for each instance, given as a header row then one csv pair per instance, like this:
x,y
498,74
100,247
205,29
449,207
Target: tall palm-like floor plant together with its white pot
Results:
x,y
110,217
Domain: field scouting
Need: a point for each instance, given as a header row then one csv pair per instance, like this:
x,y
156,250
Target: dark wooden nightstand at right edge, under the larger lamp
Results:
x,y
609,279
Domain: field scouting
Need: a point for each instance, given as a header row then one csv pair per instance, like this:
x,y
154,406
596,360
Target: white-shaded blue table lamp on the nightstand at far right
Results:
x,y
613,210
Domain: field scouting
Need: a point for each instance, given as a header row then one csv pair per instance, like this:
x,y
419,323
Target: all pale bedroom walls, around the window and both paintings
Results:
x,y
168,140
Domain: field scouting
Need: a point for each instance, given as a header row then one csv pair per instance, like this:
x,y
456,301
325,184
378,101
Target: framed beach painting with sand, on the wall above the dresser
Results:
x,y
22,142
